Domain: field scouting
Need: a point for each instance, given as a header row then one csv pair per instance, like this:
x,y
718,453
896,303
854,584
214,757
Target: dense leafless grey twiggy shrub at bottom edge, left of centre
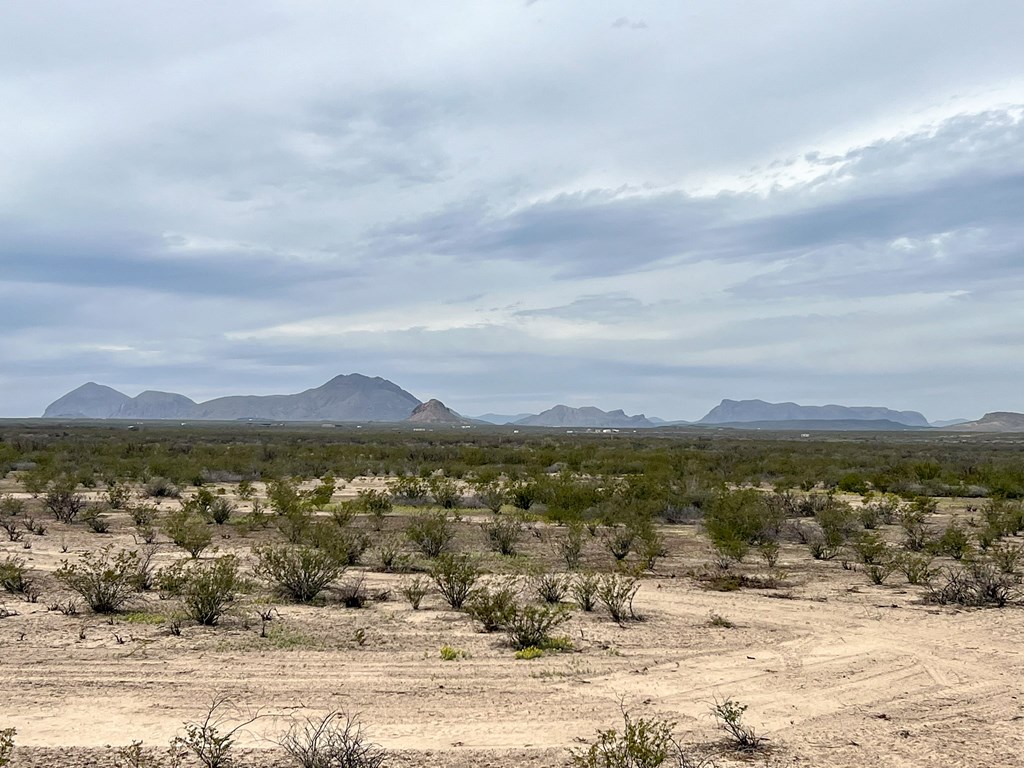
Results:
x,y
335,741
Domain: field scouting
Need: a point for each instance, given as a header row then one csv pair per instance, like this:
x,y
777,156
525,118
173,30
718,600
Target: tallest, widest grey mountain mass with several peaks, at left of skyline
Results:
x,y
353,398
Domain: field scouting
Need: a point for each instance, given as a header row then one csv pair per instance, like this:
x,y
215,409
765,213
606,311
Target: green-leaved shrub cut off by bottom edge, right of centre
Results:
x,y
644,743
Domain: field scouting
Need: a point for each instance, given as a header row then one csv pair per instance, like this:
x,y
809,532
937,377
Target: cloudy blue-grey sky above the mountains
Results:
x,y
508,205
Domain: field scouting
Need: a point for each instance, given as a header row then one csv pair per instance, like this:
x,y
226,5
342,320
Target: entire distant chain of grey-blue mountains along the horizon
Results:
x,y
356,398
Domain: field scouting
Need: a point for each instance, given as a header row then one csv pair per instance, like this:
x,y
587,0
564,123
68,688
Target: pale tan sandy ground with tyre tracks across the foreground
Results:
x,y
837,672
